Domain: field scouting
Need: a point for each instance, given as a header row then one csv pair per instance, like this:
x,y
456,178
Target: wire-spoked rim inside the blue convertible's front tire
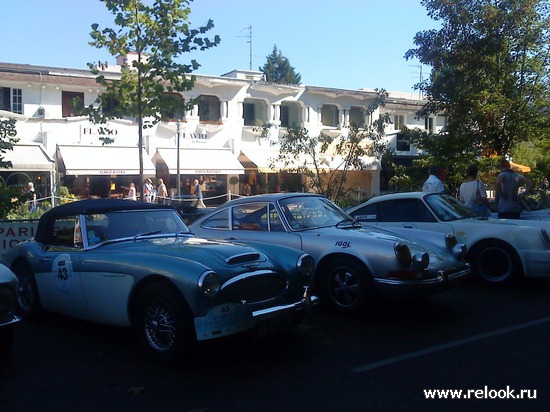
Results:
x,y
160,326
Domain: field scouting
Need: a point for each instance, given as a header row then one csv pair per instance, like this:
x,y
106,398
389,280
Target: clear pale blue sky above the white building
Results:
x,y
347,44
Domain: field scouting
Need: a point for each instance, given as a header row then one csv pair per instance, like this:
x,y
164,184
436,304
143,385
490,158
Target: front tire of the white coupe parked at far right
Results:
x,y
495,262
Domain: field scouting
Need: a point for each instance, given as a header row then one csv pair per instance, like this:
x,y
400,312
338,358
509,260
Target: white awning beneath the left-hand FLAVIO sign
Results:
x,y
102,160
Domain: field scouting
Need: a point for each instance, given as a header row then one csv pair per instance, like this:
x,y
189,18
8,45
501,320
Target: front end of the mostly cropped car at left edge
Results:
x,y
8,309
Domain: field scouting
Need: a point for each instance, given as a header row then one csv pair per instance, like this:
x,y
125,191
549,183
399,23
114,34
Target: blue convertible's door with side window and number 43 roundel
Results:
x,y
57,269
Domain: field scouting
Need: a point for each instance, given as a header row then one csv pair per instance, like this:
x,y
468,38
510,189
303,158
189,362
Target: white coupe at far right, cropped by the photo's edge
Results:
x,y
498,250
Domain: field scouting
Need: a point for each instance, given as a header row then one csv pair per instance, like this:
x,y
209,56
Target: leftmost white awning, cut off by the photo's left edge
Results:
x,y
28,158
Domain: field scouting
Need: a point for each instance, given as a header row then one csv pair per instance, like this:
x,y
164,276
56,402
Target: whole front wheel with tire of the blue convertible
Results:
x,y
164,323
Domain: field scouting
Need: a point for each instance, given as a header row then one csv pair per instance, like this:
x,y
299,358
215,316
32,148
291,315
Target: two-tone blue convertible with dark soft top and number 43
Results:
x,y
126,263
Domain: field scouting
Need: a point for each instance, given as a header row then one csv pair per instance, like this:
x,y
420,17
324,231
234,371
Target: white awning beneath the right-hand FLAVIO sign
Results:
x,y
198,161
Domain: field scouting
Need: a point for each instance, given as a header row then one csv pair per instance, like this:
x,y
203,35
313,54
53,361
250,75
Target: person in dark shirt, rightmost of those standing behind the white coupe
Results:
x,y
507,191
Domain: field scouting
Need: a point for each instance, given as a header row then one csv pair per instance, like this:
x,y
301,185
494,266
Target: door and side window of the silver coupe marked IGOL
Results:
x,y
256,221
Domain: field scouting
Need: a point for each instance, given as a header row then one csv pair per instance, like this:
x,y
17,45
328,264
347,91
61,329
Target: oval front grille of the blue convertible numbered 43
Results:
x,y
254,287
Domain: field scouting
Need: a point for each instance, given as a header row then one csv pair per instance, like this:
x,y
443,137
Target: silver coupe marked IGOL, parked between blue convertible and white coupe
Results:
x,y
352,264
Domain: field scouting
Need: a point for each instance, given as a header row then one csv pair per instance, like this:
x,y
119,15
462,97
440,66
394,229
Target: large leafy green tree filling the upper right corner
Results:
x,y
489,72
